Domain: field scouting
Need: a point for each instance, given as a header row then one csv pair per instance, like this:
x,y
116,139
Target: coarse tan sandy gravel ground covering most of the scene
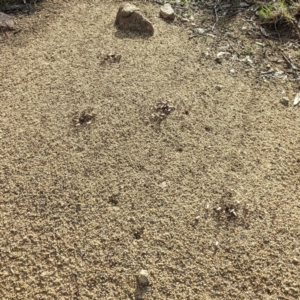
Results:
x,y
206,200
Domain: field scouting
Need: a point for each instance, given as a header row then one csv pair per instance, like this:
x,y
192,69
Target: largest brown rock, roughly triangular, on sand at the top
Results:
x,y
128,18
